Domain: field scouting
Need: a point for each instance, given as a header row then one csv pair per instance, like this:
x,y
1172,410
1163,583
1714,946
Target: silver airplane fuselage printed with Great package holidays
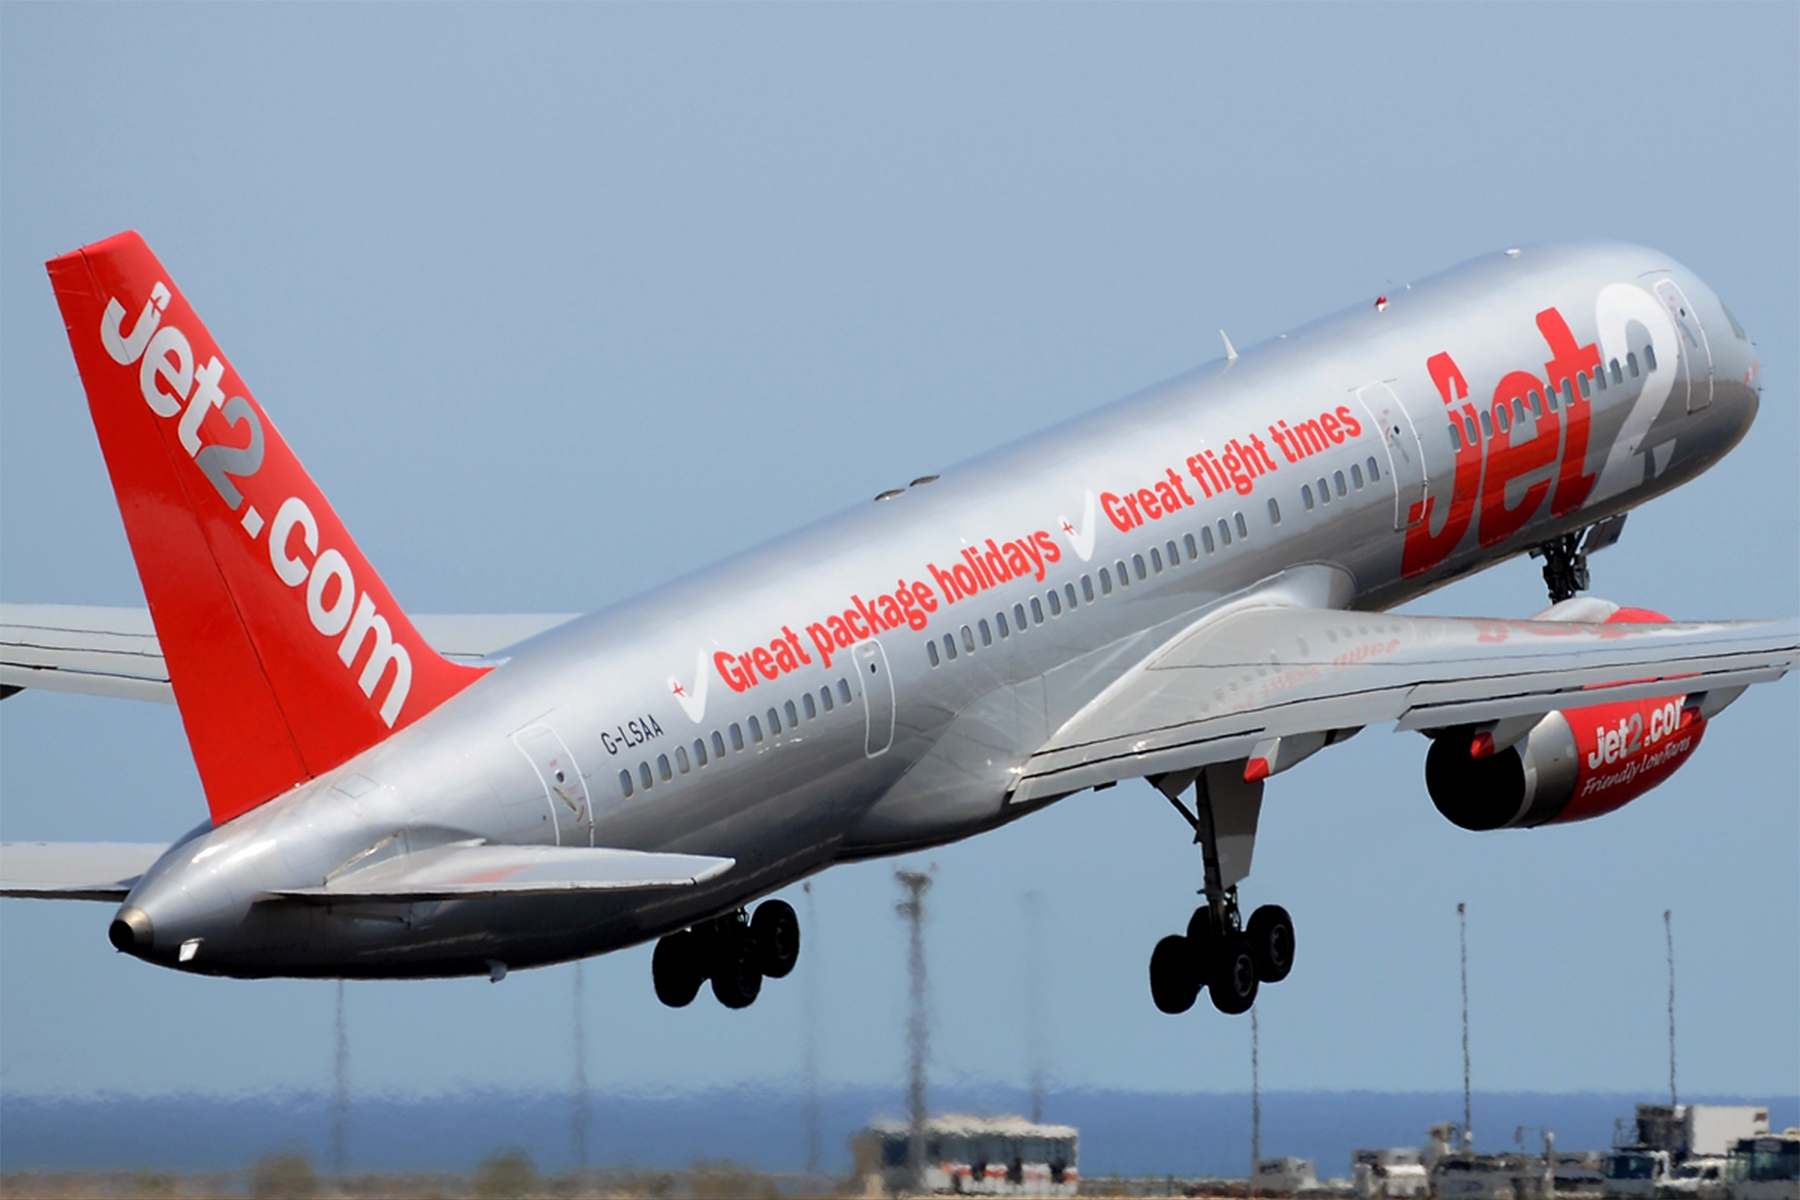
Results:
x,y
926,748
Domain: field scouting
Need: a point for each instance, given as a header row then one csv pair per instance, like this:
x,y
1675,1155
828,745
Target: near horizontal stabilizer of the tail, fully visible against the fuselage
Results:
x,y
472,870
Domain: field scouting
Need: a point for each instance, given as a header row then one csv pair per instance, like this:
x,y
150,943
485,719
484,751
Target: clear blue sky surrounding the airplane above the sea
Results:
x,y
566,301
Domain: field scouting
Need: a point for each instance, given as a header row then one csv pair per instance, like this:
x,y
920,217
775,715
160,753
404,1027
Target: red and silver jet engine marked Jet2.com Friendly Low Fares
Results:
x,y
1567,766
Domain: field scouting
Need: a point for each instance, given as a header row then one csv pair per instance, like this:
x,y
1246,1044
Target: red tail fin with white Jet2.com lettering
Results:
x,y
285,650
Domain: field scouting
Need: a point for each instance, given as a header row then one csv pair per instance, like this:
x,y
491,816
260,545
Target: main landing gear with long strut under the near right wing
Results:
x,y
1221,953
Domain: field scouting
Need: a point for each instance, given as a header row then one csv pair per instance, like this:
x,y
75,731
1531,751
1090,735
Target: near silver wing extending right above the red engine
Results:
x,y
1234,685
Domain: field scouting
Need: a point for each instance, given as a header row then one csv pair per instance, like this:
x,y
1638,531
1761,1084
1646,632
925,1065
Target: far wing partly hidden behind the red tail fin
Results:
x,y
114,652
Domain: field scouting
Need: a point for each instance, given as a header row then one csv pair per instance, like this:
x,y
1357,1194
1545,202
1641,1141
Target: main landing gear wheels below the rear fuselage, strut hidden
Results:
x,y
733,951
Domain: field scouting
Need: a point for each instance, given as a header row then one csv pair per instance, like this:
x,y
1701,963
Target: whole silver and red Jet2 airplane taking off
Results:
x,y
1192,586
